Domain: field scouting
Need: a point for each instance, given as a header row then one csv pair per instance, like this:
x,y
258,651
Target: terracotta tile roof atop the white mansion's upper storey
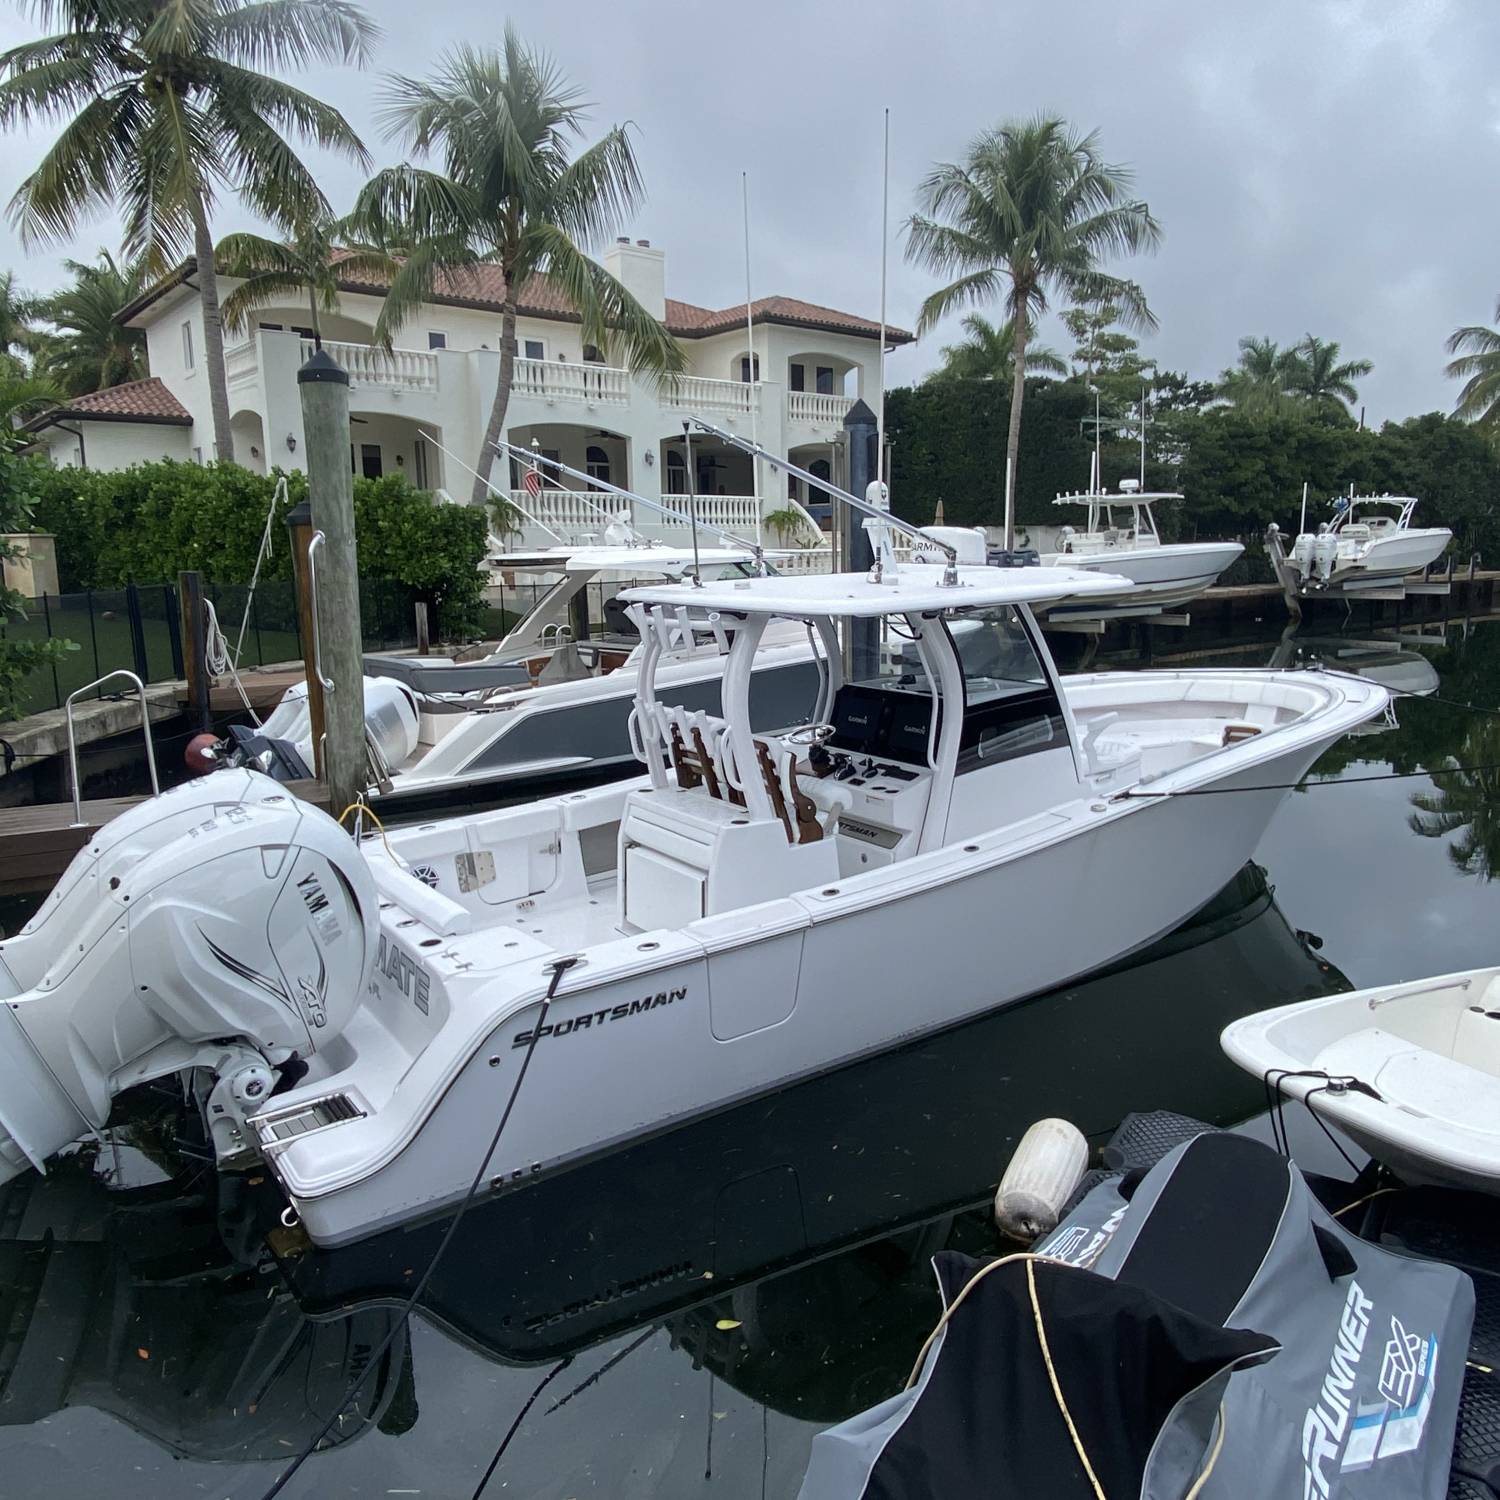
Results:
x,y
484,287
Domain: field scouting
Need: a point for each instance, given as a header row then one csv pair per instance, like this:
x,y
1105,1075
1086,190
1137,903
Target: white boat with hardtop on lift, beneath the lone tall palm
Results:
x,y
1120,536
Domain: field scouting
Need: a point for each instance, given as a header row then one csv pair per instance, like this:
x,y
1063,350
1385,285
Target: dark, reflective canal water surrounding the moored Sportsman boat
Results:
x,y
721,1294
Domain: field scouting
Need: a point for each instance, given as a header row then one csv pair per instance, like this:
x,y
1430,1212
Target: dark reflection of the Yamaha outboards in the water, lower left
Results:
x,y
133,1303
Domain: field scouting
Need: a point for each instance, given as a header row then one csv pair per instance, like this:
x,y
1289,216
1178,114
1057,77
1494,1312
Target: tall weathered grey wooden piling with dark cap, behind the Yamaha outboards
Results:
x,y
332,569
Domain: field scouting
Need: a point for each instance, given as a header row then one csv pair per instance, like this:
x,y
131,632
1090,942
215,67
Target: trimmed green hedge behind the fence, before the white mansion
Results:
x,y
157,520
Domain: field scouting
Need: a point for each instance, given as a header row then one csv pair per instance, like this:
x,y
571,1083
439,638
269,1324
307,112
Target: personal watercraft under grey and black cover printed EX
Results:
x,y
1205,1330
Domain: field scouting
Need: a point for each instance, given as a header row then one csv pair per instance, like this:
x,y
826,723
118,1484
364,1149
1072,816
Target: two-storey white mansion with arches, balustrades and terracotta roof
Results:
x,y
422,407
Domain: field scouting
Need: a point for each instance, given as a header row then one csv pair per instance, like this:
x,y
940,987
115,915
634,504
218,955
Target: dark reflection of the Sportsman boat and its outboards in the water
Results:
x,y
787,1219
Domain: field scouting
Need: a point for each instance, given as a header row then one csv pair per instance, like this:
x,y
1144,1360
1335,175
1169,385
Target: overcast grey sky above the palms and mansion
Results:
x,y
1318,166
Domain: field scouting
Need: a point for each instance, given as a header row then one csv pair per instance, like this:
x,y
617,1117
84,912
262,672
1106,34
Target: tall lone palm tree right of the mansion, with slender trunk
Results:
x,y
1031,209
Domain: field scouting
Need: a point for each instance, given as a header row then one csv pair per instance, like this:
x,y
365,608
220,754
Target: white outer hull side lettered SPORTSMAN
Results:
x,y
661,1027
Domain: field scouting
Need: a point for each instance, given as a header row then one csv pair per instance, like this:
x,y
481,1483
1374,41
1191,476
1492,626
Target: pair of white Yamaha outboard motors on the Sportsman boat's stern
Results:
x,y
223,931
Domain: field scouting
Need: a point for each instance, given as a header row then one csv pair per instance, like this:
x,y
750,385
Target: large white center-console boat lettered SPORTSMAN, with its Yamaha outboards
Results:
x,y
757,908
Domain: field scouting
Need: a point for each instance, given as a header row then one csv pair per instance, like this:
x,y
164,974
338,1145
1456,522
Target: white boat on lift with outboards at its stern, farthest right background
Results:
x,y
1370,544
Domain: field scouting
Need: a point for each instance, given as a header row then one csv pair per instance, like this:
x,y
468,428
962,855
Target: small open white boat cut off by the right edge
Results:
x,y
1409,1072
